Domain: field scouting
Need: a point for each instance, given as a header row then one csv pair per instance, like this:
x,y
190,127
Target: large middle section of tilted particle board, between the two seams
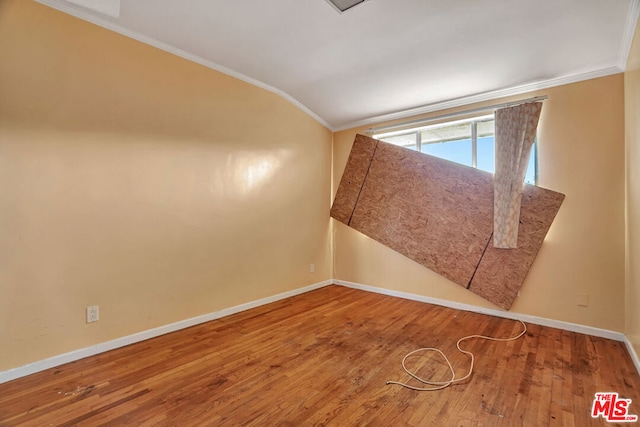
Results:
x,y
428,209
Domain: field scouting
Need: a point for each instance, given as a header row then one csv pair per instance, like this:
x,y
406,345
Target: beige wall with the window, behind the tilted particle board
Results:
x,y
581,154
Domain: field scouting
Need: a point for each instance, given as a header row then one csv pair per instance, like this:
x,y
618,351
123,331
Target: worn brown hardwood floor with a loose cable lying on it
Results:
x,y
322,358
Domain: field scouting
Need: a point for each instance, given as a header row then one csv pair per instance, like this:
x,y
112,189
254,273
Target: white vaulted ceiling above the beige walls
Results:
x,y
384,58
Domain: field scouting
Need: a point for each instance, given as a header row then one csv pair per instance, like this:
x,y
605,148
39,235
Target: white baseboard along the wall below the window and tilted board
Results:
x,y
573,327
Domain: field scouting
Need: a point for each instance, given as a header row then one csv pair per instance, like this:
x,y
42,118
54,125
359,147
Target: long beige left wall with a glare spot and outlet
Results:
x,y
143,183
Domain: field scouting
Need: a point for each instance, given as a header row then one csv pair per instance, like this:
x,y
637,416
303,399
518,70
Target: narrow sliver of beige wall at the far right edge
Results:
x,y
632,129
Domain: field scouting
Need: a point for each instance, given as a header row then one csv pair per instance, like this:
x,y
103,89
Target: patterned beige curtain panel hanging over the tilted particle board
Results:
x,y
515,134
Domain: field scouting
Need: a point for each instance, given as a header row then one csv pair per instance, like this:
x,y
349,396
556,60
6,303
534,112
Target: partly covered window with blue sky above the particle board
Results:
x,y
470,142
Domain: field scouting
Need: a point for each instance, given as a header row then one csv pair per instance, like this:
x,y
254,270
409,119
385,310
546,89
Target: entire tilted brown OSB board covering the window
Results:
x,y
440,214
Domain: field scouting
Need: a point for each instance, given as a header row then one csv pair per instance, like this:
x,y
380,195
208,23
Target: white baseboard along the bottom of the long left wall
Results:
x,y
61,359
